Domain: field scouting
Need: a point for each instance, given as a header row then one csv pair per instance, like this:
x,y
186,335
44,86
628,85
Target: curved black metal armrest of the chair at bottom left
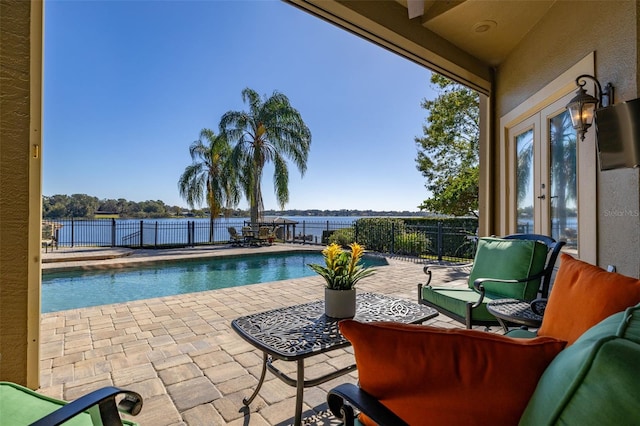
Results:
x,y
105,399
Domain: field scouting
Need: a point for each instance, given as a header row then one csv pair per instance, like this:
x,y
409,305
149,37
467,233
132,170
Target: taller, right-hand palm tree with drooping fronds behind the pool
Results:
x,y
271,131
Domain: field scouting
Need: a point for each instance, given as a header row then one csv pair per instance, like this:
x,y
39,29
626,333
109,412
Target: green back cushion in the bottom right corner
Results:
x,y
594,381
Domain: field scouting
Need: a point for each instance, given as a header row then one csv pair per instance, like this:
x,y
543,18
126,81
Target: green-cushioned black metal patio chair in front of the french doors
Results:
x,y
517,266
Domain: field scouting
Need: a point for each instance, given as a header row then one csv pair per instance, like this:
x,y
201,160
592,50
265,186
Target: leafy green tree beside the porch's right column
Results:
x,y
448,152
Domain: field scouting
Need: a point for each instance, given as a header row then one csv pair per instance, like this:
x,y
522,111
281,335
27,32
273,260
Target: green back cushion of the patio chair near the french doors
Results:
x,y
509,259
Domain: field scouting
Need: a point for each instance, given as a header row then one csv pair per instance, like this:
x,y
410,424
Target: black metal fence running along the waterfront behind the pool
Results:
x,y
438,241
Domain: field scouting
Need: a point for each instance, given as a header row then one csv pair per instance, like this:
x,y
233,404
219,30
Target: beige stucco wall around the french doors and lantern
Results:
x,y
610,29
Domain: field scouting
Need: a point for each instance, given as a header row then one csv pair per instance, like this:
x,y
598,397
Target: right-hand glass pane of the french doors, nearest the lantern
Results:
x,y
563,185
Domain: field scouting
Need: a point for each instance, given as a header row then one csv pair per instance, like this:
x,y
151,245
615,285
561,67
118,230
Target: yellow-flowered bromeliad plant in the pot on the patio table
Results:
x,y
343,269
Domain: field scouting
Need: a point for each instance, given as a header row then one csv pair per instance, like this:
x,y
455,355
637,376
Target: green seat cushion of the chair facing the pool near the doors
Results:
x,y
455,300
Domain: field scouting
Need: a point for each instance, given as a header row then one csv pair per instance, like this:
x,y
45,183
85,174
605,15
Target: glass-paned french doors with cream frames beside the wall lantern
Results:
x,y
544,158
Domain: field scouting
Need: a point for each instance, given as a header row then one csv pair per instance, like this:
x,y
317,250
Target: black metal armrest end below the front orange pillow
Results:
x,y
364,402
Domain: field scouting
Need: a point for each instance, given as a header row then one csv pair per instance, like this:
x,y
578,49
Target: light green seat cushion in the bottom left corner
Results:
x,y
20,406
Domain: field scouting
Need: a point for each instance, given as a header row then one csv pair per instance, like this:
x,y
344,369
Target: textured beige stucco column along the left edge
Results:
x,y
20,213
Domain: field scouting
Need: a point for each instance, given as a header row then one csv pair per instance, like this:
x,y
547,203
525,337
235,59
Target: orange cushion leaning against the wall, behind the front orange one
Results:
x,y
583,295
